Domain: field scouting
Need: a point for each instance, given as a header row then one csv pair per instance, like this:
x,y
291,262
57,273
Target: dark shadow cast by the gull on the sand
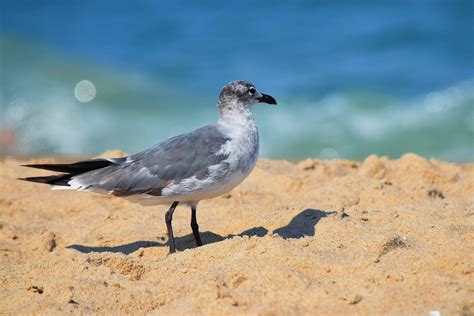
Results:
x,y
300,226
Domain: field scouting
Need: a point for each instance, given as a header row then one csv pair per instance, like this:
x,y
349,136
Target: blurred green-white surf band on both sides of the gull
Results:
x,y
40,114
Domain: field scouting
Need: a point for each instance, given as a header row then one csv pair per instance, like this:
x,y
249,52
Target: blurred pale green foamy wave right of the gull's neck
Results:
x,y
354,125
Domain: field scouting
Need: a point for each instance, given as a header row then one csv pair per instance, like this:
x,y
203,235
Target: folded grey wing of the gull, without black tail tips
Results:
x,y
152,170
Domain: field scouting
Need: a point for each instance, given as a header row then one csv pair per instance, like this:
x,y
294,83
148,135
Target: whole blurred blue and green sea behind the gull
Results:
x,y
352,78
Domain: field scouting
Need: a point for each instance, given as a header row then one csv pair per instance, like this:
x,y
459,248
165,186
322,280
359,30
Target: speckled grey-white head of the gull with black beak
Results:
x,y
242,94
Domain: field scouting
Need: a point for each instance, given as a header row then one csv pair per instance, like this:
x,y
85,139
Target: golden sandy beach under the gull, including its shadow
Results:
x,y
313,237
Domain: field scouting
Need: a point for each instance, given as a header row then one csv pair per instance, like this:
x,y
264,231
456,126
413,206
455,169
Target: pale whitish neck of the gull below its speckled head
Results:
x,y
237,120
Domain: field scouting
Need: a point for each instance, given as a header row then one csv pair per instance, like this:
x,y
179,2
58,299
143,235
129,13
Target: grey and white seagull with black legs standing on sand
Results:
x,y
186,169
